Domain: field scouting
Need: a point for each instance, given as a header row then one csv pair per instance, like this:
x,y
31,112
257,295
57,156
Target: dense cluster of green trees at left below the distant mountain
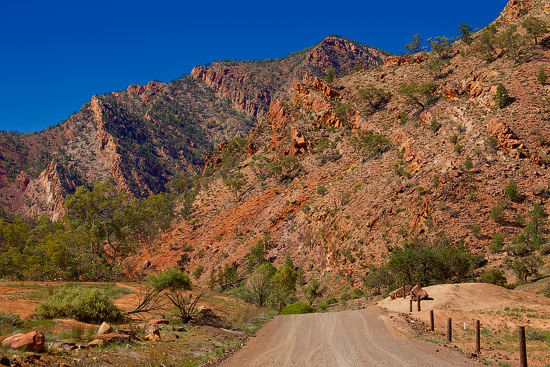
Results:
x,y
101,229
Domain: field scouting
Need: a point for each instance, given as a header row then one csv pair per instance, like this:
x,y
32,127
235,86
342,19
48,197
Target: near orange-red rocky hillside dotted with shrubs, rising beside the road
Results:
x,y
403,151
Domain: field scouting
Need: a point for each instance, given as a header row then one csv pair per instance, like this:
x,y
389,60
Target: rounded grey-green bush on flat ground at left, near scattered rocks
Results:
x,y
79,303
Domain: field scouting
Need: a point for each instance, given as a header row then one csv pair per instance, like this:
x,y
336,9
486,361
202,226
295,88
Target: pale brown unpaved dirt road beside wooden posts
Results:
x,y
343,339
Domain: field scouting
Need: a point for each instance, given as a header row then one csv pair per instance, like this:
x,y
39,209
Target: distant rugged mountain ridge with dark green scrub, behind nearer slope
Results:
x,y
140,138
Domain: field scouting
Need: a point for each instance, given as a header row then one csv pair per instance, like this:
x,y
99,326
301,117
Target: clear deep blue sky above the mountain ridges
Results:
x,y
55,55
